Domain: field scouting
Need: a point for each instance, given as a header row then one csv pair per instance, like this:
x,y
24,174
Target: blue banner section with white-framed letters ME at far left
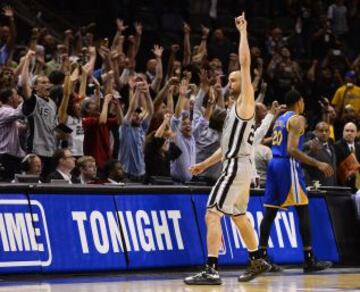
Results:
x,y
23,235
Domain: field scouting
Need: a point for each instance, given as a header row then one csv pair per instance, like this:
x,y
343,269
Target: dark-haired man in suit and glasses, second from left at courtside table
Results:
x,y
65,162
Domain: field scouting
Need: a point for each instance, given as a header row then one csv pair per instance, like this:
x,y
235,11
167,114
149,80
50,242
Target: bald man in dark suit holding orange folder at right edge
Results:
x,y
348,155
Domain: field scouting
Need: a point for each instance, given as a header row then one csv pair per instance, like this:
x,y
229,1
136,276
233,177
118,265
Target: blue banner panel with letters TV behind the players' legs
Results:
x,y
285,245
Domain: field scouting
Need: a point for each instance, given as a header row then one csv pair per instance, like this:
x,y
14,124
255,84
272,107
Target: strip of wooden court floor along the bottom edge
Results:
x,y
289,280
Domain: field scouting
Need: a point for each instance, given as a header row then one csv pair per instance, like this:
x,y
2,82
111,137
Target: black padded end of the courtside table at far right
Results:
x,y
346,227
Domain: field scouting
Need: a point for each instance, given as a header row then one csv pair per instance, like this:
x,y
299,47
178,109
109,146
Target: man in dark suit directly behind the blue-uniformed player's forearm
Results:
x,y
323,150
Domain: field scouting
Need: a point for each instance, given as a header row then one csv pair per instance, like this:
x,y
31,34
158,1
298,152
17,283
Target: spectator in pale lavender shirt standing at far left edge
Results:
x,y
11,152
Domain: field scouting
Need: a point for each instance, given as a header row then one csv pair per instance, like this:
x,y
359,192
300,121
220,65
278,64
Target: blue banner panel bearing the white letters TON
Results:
x,y
83,232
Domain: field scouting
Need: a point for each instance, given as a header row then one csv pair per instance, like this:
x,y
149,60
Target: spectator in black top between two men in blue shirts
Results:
x,y
159,151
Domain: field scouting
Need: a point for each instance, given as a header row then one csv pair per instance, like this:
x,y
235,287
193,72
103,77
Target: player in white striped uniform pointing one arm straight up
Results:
x,y
230,195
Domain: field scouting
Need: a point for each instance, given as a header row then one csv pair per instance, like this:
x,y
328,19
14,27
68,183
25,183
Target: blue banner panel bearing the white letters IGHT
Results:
x,y
159,230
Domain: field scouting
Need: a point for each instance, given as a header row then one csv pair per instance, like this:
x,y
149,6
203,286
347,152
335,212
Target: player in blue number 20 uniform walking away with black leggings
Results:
x,y
285,183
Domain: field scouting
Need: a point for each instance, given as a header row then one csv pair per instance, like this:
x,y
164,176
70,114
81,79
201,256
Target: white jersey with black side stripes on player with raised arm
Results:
x,y
237,135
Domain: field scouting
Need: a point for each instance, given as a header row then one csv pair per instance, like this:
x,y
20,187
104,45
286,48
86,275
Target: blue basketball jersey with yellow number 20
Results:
x,y
280,135
